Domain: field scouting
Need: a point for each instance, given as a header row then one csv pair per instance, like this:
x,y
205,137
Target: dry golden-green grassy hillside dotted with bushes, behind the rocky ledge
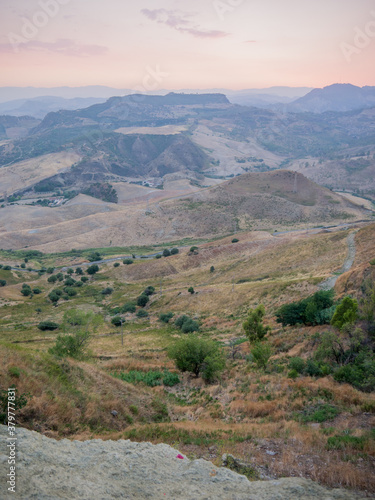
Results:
x,y
281,423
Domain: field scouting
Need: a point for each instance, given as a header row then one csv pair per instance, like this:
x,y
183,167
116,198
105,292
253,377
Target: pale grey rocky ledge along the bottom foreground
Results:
x,y
100,470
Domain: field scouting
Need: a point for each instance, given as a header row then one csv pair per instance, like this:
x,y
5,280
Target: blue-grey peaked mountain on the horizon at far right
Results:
x,y
338,97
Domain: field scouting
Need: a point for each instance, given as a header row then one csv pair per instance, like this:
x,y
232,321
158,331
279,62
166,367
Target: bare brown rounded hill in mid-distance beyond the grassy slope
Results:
x,y
279,200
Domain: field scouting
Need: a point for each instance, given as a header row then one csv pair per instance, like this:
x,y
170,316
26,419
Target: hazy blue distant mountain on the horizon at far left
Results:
x,y
39,107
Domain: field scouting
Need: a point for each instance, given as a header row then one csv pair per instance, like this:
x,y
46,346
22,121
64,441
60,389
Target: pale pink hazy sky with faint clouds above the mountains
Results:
x,y
187,43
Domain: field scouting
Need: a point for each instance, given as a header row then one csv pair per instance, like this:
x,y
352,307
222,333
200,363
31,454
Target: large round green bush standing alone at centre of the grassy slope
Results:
x,y
198,356
